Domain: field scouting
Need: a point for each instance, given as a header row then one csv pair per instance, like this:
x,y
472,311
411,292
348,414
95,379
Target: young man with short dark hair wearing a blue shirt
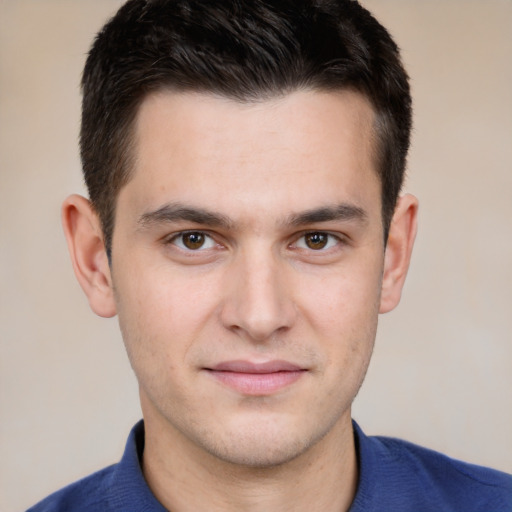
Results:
x,y
244,162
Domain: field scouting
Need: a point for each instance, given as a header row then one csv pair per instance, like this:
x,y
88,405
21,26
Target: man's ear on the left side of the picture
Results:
x,y
84,236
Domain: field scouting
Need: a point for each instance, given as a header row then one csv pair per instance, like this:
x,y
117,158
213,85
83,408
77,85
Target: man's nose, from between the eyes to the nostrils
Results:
x,y
258,302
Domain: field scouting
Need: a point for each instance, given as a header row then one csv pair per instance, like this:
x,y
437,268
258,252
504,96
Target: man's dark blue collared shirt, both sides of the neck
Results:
x,y
394,476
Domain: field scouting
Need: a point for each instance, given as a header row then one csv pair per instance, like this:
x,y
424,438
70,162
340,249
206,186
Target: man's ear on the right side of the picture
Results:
x,y
402,233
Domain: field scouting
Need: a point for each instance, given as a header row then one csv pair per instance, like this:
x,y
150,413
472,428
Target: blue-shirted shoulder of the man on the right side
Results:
x,y
409,476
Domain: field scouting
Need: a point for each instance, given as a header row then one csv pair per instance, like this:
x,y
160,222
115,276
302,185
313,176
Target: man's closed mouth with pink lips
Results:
x,y
256,379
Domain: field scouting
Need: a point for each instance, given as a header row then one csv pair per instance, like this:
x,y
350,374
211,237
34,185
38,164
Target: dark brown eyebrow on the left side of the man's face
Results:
x,y
173,212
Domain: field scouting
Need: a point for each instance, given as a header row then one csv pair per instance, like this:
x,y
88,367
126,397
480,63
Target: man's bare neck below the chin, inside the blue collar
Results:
x,y
185,478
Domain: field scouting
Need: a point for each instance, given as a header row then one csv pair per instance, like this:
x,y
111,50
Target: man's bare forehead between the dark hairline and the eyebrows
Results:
x,y
190,146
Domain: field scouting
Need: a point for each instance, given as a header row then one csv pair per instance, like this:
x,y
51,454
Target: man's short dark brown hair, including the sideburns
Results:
x,y
245,51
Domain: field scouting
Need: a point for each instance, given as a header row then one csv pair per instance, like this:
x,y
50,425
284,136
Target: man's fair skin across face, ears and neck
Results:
x,y
253,233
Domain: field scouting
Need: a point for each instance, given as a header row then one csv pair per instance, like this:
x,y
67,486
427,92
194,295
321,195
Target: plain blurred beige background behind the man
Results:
x,y
442,371
